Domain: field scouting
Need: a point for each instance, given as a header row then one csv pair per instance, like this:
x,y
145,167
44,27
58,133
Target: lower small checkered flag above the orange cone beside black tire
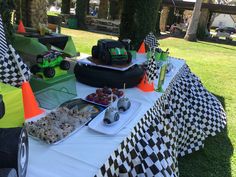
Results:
x,y
152,69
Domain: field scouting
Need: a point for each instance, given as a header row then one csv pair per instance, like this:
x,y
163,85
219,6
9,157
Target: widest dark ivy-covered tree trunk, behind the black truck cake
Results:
x,y
138,19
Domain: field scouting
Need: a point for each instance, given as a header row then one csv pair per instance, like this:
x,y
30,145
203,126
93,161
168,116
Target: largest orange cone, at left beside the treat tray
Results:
x,y
31,108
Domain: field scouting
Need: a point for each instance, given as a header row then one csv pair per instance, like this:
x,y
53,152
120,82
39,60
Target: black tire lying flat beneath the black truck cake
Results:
x,y
100,77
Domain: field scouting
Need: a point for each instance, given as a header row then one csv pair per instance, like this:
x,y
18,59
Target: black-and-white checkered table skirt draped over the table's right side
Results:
x,y
177,125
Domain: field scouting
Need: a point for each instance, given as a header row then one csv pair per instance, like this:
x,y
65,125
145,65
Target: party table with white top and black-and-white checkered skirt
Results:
x,y
167,125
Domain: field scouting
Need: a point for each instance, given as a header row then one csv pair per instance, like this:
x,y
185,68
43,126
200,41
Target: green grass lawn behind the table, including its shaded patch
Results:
x,y
215,64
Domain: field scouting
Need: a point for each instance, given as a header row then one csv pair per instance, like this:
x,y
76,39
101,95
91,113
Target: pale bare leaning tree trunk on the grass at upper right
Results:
x,y
191,34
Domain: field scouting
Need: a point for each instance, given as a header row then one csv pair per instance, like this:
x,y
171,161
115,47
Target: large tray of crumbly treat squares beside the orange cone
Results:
x,y
58,125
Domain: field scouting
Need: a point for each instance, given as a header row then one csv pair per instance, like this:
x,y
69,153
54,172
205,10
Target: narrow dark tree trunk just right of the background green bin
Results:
x,y
81,9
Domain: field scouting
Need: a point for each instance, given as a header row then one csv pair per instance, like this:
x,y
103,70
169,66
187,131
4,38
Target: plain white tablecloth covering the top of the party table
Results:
x,y
82,154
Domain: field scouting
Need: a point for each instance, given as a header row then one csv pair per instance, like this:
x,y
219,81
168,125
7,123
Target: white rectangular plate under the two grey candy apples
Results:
x,y
98,125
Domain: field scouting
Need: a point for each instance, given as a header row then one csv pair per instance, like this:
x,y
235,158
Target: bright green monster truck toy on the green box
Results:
x,y
47,62
